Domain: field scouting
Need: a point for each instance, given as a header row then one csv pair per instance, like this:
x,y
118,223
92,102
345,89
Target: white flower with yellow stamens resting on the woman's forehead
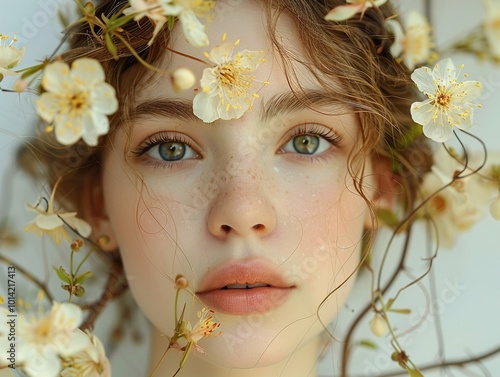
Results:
x,y
227,88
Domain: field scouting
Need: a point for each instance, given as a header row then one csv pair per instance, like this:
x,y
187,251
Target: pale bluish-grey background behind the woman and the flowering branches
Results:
x,y
467,277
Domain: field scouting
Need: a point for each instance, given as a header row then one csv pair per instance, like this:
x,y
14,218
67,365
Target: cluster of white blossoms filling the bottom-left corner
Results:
x,y
50,344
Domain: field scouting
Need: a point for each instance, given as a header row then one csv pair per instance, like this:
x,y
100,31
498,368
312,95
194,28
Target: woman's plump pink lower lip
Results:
x,y
245,301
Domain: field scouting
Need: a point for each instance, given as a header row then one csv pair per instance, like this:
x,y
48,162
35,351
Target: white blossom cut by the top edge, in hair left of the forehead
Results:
x,y
186,10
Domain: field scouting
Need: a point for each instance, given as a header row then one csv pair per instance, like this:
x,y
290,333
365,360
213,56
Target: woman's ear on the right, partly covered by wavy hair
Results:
x,y
386,186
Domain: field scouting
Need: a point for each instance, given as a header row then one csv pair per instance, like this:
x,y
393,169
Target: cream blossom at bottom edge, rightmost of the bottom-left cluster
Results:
x,y
91,361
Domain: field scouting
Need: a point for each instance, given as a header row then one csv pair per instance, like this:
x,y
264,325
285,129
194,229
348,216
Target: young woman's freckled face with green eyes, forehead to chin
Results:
x,y
265,199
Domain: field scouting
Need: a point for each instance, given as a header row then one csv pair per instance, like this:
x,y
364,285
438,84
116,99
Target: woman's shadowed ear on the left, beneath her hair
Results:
x,y
95,213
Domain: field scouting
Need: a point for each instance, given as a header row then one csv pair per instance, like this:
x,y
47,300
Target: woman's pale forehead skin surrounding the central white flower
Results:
x,y
245,24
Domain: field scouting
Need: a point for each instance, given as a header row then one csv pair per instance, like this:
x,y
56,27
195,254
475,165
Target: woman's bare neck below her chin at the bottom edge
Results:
x,y
301,364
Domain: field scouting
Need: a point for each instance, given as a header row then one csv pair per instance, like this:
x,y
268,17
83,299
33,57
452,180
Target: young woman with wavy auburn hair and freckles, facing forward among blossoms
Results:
x,y
259,186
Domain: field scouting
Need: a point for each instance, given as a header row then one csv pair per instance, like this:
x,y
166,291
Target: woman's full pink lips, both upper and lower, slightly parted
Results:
x,y
244,301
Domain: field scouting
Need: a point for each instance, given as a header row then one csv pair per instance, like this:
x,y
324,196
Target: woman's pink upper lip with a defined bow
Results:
x,y
242,272
